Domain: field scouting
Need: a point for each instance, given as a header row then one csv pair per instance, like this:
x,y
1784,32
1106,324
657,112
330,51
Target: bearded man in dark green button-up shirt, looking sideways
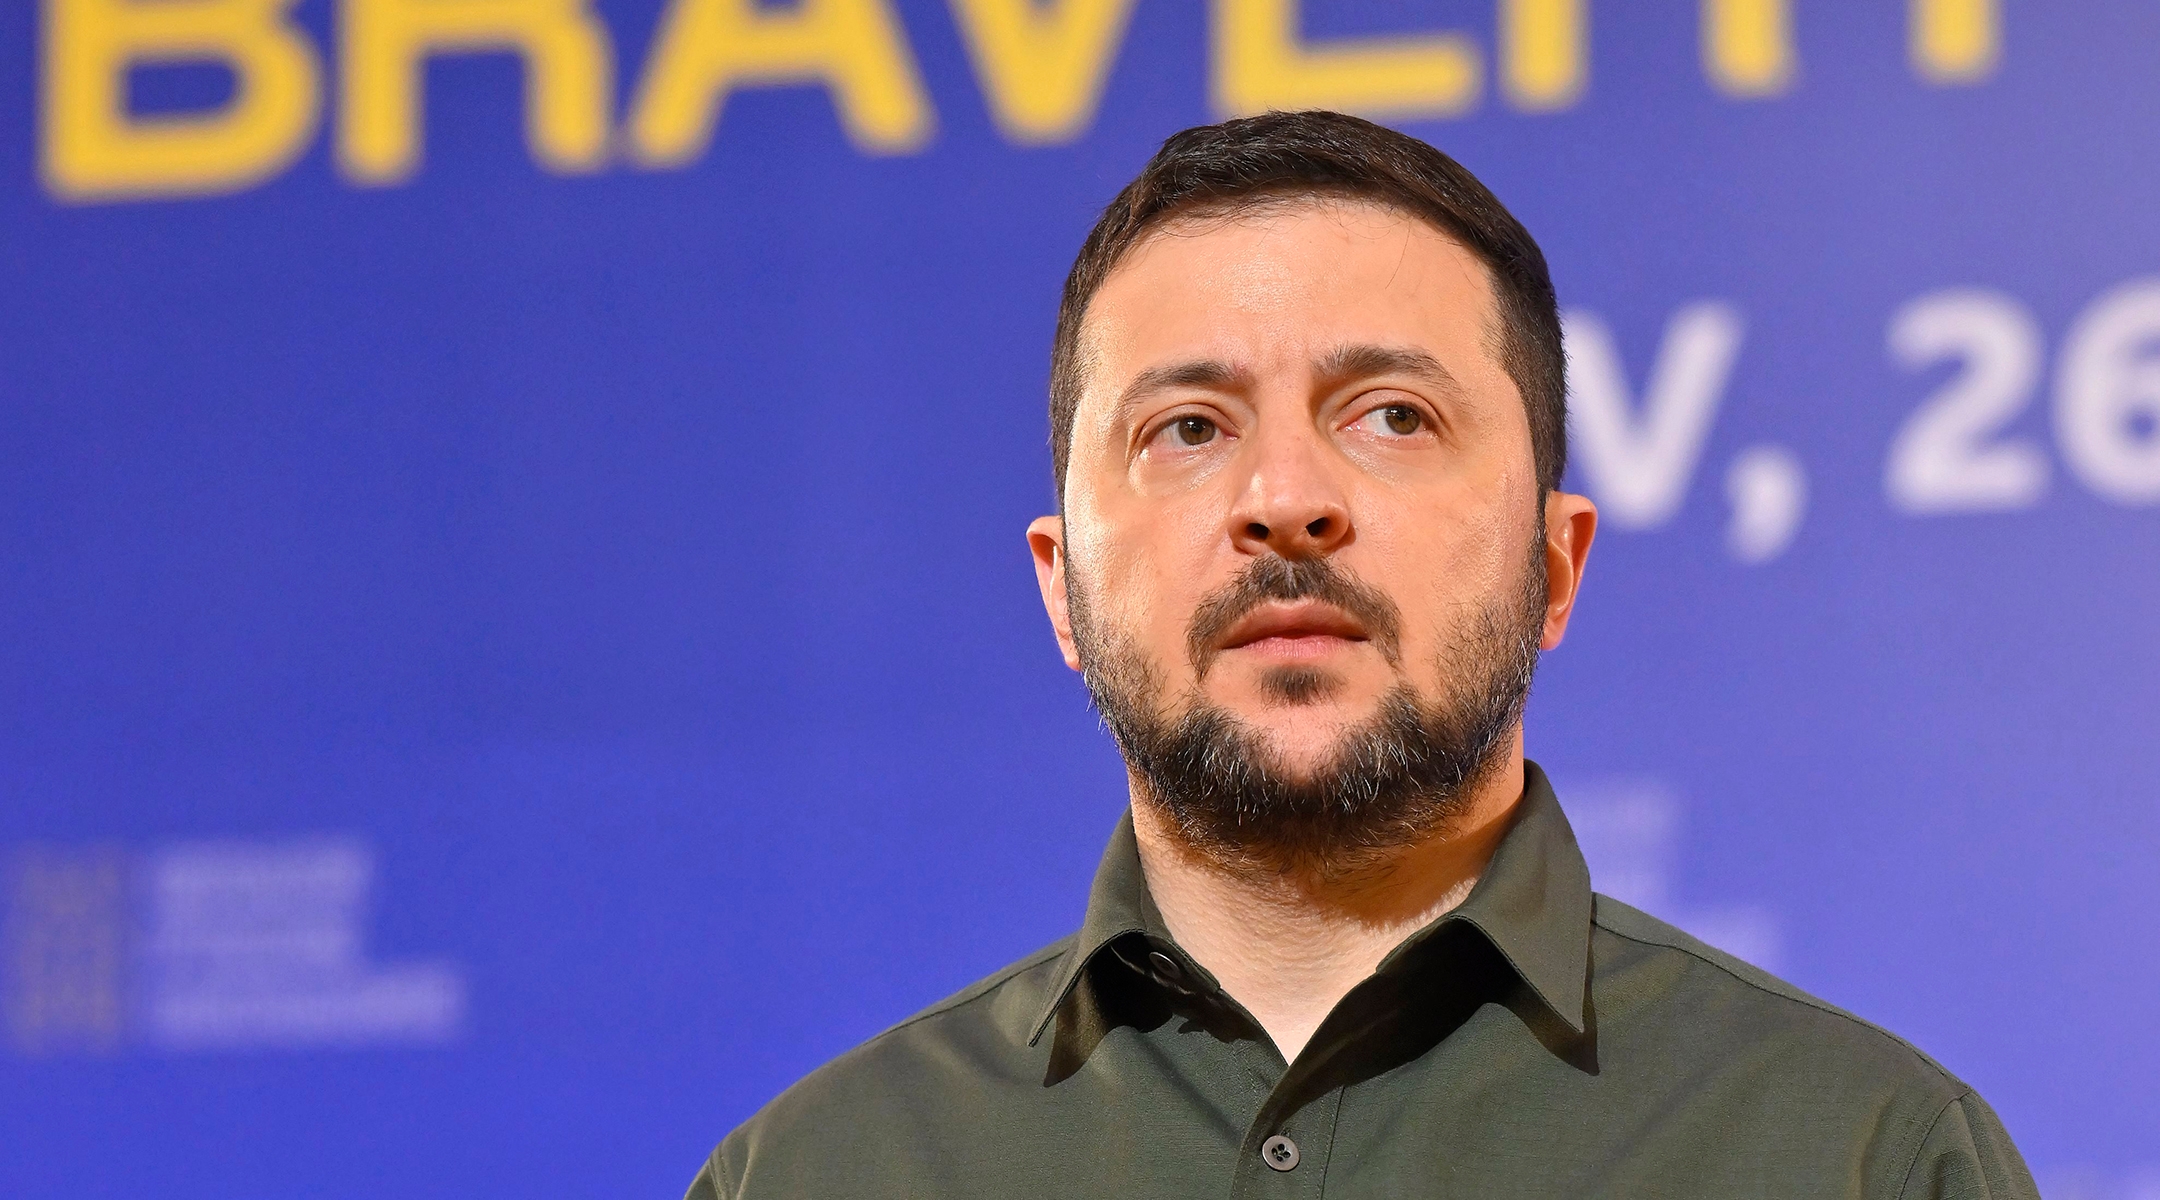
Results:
x,y
1308,422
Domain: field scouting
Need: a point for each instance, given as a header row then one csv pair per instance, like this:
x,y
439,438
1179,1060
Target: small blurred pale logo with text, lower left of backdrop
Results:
x,y
202,946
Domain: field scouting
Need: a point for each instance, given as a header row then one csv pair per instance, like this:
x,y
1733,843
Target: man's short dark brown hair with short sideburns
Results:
x,y
1260,161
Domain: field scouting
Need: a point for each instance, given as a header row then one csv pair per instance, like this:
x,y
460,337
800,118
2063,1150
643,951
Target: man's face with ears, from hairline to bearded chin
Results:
x,y
1299,400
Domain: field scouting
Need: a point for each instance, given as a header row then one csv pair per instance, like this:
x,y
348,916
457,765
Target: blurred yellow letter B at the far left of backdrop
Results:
x,y
94,150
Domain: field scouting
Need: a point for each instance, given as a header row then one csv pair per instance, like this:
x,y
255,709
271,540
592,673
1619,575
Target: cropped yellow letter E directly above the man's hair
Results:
x,y
1260,66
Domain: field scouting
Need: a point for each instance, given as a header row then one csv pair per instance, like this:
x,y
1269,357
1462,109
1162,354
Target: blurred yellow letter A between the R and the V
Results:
x,y
710,49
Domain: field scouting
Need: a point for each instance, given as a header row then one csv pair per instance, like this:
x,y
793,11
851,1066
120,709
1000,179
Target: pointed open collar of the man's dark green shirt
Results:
x,y
1533,905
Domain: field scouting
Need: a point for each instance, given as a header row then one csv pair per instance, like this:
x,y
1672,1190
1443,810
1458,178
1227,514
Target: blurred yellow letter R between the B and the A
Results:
x,y
569,77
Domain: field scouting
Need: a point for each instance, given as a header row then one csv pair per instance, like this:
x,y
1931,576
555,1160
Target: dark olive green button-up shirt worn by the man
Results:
x,y
1537,1041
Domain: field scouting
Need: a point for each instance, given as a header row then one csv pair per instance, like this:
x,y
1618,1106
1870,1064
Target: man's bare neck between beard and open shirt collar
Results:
x,y
1291,946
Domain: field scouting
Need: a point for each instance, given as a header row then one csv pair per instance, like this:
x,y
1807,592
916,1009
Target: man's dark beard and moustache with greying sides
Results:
x,y
1394,780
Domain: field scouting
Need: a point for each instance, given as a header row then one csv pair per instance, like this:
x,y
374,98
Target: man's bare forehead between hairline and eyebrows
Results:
x,y
1288,284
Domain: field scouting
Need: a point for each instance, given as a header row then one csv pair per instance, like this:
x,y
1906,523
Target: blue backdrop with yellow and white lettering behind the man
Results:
x,y
515,618
